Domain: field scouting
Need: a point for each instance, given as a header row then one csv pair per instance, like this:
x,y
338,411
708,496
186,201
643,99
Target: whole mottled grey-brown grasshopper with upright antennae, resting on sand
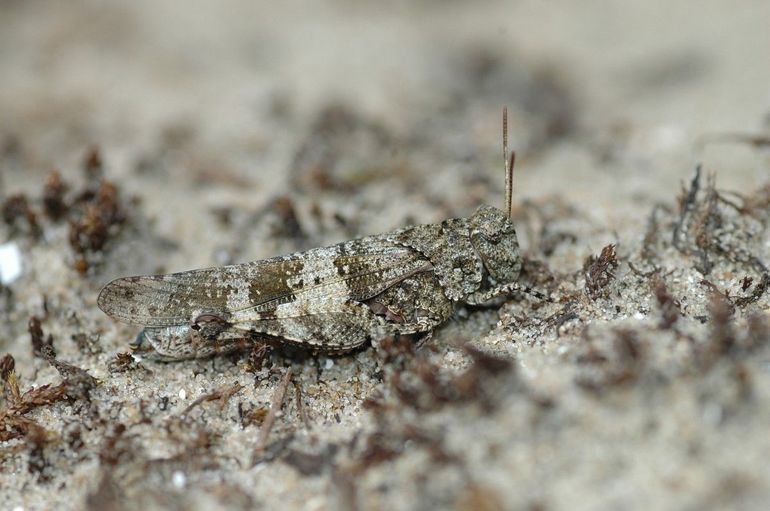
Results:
x,y
331,299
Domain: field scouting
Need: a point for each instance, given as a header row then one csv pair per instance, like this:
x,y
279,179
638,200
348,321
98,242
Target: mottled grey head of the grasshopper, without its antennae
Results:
x,y
494,239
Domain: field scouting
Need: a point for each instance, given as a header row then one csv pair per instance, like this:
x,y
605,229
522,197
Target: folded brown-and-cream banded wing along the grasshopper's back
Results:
x,y
354,270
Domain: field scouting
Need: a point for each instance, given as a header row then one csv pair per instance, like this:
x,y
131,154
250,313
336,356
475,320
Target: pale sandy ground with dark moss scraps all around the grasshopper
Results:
x,y
234,131
